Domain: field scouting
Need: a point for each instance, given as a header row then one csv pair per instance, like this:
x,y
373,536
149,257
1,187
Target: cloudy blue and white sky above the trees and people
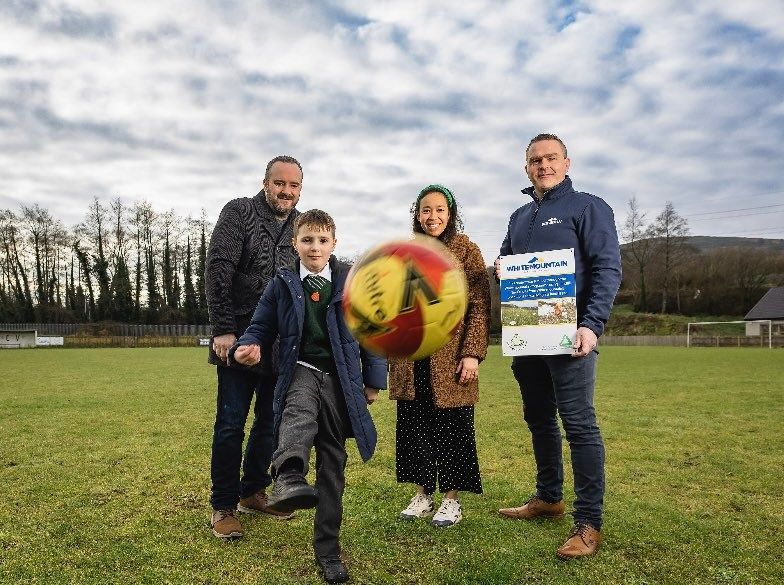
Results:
x,y
183,103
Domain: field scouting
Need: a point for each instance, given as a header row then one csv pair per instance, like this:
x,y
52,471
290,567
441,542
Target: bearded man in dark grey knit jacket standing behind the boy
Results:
x,y
251,240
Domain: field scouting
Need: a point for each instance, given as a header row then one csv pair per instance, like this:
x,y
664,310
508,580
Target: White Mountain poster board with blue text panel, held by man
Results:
x,y
538,303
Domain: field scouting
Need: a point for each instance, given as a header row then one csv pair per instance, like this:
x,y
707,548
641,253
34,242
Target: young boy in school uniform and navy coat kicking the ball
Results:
x,y
324,386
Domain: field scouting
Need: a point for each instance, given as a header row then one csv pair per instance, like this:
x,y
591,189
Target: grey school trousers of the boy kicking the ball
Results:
x,y
315,415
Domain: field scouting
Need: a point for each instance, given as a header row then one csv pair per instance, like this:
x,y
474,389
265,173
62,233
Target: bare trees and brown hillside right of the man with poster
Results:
x,y
665,273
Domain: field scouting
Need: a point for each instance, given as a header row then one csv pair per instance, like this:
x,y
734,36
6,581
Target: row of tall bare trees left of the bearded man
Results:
x,y
125,263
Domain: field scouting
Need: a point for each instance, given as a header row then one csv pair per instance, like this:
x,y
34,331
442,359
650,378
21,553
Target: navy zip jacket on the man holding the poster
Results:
x,y
566,218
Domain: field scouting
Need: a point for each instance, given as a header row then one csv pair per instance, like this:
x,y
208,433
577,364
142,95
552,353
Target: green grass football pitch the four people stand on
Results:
x,y
104,472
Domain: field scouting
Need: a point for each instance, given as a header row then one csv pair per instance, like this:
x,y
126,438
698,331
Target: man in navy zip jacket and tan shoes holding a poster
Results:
x,y
559,217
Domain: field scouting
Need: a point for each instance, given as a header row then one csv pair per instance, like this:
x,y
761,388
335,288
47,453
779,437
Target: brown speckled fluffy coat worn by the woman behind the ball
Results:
x,y
470,340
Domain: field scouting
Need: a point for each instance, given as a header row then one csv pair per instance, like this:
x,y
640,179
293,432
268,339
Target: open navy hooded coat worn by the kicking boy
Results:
x,y
281,311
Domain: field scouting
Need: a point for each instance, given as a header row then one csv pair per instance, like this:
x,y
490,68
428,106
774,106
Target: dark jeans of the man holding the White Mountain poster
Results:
x,y
564,385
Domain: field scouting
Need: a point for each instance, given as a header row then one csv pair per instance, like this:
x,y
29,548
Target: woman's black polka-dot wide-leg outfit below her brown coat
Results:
x,y
435,444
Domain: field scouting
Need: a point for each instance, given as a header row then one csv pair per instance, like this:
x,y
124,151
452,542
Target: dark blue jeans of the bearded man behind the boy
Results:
x,y
236,389
